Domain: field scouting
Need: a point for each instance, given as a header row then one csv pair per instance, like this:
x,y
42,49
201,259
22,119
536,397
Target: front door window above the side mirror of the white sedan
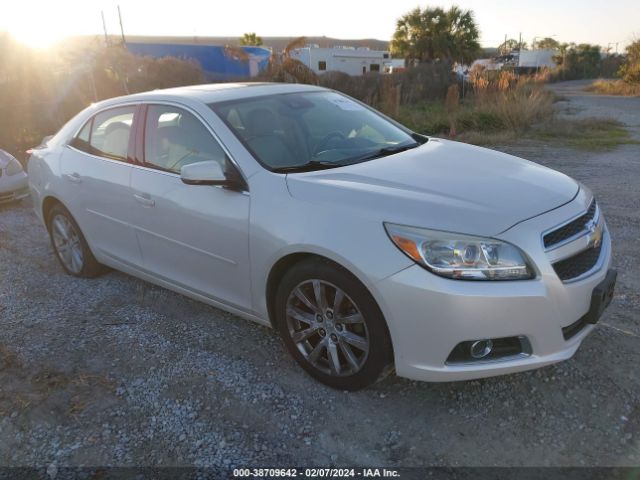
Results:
x,y
174,138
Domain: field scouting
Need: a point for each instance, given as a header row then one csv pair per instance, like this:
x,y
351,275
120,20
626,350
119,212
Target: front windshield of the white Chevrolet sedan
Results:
x,y
315,130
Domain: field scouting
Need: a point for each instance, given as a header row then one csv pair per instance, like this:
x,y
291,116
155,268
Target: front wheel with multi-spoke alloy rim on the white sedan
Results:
x,y
341,340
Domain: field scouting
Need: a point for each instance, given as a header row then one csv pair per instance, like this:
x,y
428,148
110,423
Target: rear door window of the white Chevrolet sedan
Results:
x,y
107,134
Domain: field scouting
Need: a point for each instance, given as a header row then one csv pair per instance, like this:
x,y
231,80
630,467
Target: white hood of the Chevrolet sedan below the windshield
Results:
x,y
440,185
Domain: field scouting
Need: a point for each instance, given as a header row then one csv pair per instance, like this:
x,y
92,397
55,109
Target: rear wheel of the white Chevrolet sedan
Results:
x,y
76,259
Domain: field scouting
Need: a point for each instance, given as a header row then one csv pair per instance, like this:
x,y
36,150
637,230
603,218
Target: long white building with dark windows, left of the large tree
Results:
x,y
350,60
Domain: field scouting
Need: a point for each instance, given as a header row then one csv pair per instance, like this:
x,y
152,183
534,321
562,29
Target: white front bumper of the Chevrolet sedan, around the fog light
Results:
x,y
429,315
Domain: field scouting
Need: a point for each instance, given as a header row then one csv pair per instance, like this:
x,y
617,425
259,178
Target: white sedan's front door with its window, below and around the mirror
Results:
x,y
194,236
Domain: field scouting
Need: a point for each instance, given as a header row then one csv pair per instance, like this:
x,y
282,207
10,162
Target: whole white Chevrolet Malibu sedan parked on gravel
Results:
x,y
367,246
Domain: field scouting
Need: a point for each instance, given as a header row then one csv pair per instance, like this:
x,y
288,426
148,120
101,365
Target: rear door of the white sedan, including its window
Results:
x,y
96,169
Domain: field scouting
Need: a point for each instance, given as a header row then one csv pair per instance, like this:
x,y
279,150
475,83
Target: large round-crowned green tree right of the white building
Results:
x,y
434,34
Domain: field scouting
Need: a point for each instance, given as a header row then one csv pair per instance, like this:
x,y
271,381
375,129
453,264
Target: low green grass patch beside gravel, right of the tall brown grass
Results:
x,y
595,134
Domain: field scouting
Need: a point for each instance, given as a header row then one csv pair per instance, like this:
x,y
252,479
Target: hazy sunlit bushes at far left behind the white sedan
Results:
x,y
40,91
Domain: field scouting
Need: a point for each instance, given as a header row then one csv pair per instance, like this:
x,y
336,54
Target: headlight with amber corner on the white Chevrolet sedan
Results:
x,y
460,256
